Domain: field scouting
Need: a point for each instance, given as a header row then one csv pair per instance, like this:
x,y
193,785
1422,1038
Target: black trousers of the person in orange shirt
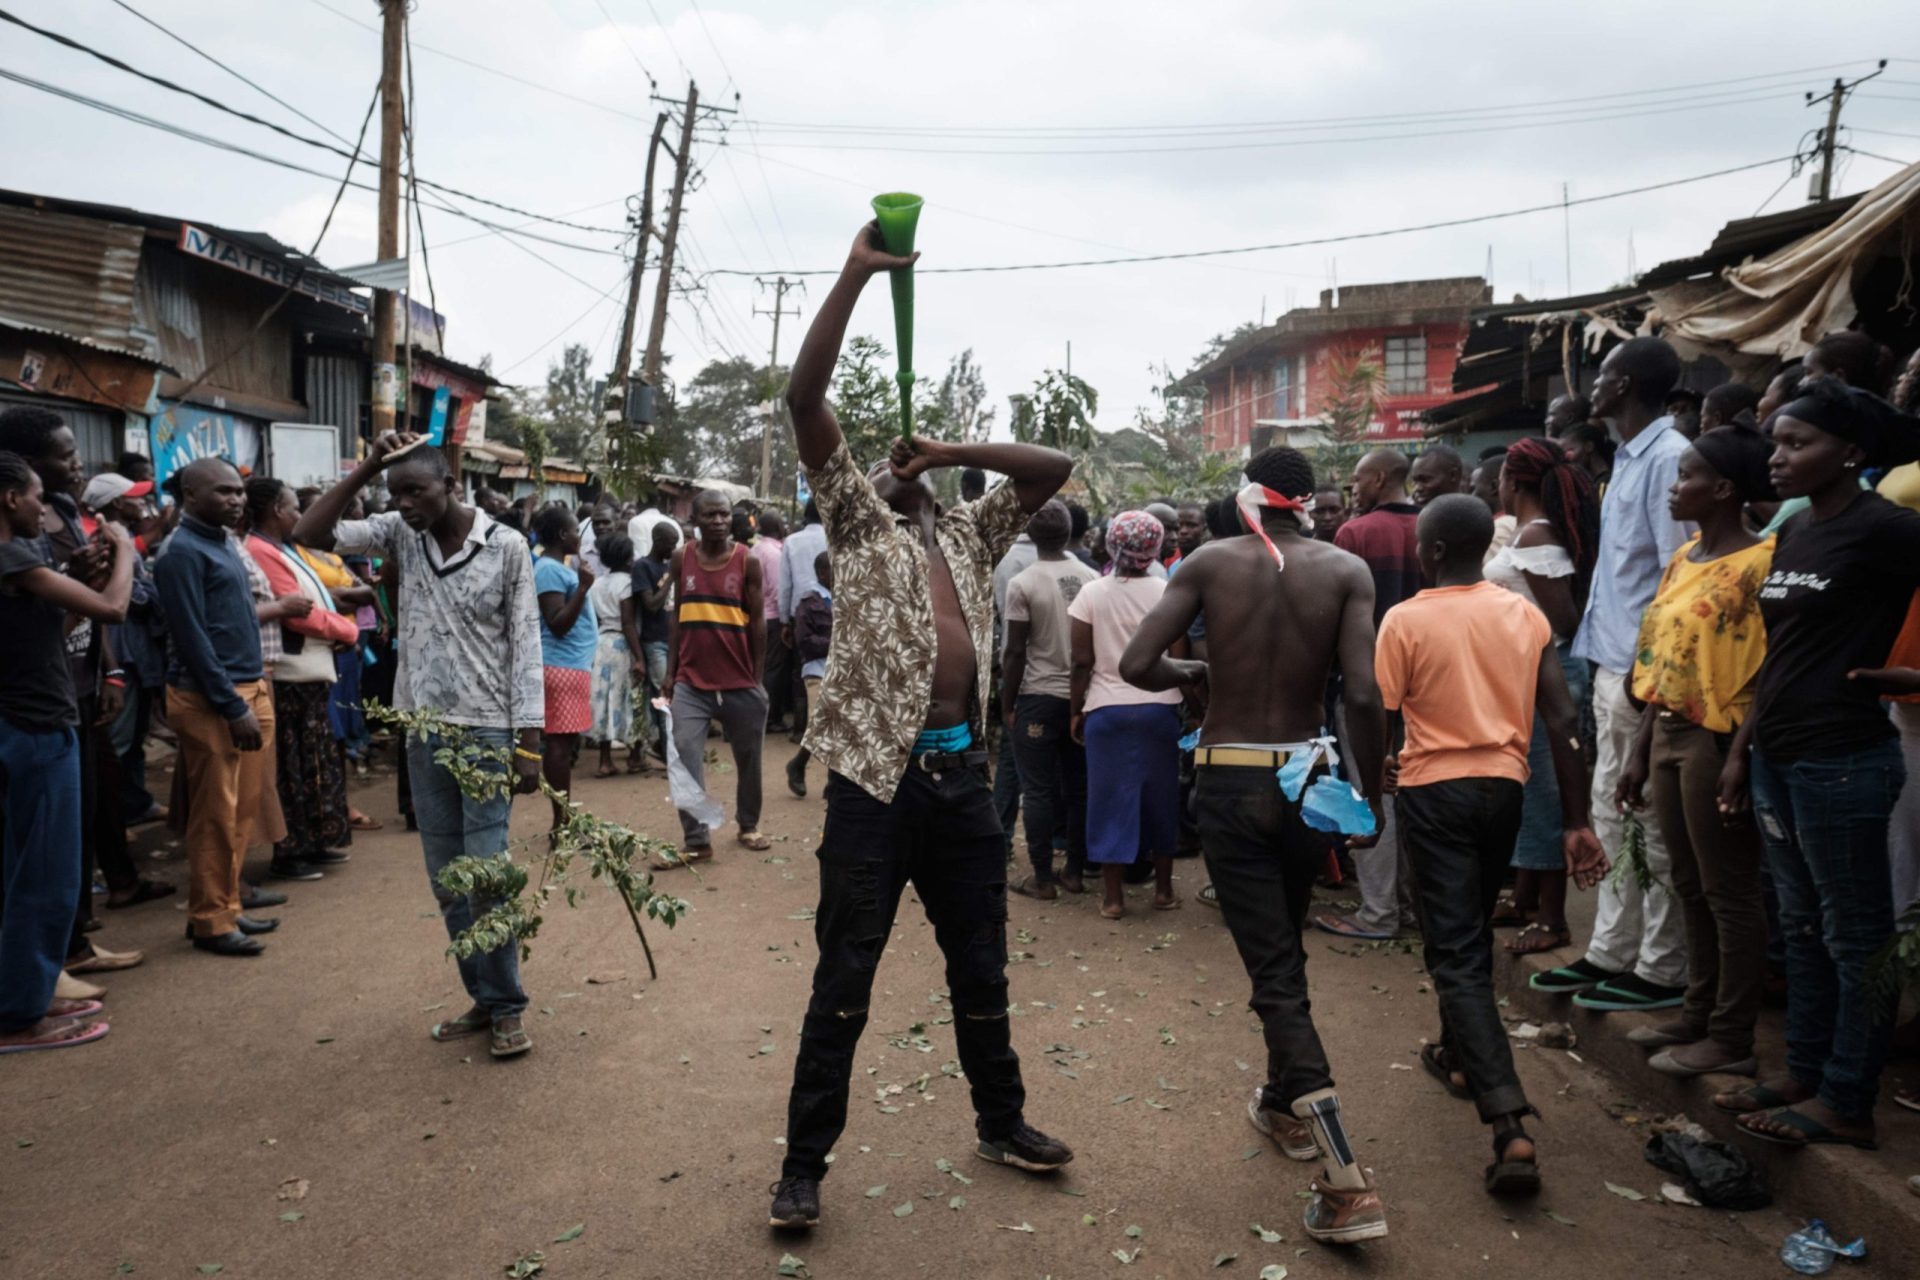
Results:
x,y
1460,840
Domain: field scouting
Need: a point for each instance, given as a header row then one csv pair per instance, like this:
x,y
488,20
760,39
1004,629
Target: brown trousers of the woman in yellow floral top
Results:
x,y
1717,878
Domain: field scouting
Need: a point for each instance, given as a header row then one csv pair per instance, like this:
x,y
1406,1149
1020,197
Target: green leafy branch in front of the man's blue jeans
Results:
x,y
613,855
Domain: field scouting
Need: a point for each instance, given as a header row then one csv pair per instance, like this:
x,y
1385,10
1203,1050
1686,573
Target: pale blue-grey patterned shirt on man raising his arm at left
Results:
x,y
469,625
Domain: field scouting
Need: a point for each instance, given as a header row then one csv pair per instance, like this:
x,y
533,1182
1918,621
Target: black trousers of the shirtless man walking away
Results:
x,y
1264,861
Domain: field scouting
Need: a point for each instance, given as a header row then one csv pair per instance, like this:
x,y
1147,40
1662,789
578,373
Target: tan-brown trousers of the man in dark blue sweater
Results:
x,y
228,801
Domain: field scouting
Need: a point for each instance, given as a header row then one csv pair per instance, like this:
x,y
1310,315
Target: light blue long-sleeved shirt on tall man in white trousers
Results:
x,y
1637,540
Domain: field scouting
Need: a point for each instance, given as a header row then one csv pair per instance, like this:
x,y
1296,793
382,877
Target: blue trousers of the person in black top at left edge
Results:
x,y
41,780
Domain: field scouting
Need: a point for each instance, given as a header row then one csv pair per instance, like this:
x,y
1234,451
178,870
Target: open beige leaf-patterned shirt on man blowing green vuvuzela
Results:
x,y
880,673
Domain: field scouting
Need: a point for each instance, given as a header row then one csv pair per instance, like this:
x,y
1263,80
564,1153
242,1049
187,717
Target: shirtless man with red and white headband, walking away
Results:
x,y
1280,611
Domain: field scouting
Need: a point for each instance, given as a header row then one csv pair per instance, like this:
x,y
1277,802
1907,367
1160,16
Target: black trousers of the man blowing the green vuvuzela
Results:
x,y
942,834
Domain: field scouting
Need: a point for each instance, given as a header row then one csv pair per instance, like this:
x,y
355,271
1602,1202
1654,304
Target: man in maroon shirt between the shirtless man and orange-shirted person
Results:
x,y
1383,534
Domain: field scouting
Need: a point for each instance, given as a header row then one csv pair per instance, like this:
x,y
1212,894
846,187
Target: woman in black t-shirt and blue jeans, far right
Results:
x,y
1825,757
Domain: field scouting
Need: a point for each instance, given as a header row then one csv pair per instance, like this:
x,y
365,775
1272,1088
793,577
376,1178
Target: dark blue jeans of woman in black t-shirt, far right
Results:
x,y
1825,824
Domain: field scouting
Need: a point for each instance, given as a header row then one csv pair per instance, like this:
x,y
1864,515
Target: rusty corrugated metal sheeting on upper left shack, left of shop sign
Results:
x,y
74,275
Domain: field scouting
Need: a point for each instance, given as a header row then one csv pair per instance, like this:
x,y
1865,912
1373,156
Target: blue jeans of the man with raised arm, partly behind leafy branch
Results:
x,y
452,826
